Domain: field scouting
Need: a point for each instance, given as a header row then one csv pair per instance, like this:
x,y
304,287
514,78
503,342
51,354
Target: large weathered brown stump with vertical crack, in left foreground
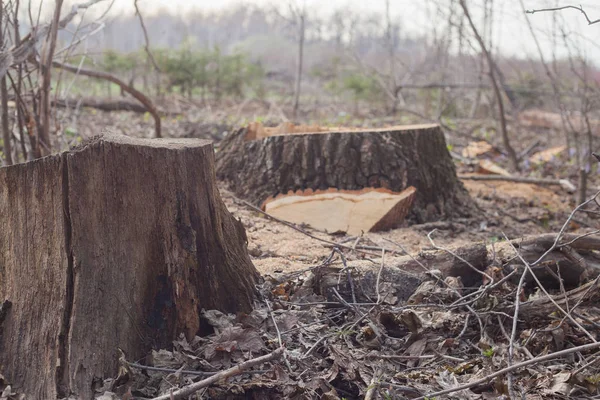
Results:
x,y
119,243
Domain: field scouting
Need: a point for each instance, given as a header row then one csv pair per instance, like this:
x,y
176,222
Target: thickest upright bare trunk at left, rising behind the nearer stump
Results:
x,y
46,69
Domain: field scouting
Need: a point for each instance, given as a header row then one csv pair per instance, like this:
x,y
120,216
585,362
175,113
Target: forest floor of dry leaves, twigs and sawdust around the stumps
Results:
x,y
370,339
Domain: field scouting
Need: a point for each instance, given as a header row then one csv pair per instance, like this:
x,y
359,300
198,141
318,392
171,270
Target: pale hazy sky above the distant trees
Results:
x,y
511,34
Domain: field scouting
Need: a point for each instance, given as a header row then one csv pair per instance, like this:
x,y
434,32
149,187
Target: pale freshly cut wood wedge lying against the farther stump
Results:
x,y
350,211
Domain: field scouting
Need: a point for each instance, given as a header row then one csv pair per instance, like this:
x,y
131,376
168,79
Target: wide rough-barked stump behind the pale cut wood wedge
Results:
x,y
260,164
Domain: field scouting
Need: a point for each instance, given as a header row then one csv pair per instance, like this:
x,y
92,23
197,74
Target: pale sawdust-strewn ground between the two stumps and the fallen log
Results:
x,y
513,208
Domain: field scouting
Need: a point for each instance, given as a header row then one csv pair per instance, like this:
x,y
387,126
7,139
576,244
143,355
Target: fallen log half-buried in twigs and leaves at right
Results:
x,y
469,263
